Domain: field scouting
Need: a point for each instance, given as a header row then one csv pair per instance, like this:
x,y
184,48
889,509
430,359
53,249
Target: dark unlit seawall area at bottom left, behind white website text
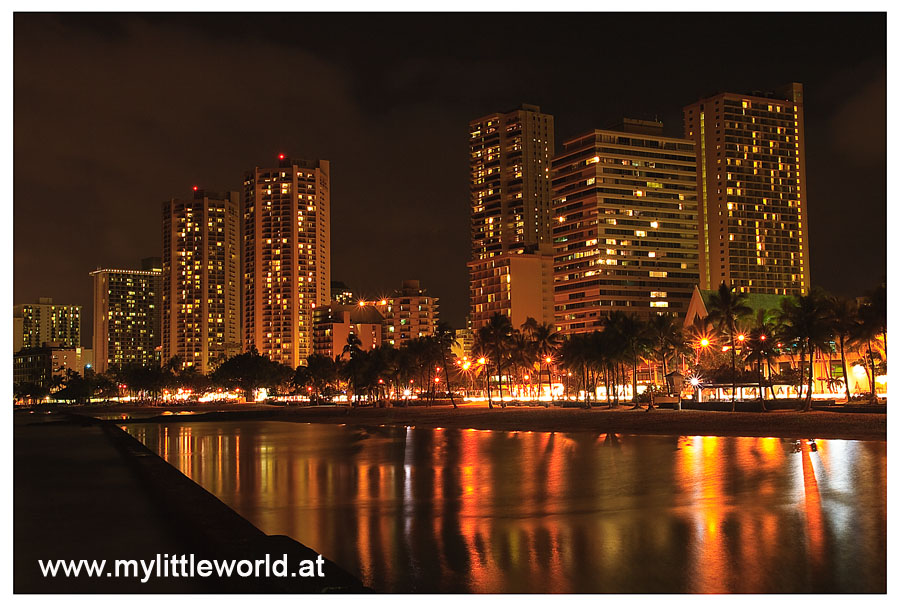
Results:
x,y
85,489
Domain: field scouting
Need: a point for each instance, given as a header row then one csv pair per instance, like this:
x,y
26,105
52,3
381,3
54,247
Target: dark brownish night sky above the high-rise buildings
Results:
x,y
114,114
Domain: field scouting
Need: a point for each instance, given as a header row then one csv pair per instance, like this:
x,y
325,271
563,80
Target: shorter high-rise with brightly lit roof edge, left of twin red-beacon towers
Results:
x,y
127,315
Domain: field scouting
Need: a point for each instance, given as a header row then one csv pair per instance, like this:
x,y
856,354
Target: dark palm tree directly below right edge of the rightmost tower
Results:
x,y
805,321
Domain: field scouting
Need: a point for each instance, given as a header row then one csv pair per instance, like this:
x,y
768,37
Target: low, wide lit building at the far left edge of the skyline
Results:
x,y
45,322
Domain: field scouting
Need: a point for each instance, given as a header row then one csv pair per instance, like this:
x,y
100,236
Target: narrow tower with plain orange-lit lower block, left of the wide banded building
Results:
x,y
510,158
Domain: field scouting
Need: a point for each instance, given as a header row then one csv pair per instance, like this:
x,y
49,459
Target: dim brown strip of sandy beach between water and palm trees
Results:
x,y
788,424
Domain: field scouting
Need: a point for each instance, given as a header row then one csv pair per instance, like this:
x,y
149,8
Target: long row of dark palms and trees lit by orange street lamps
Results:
x,y
732,344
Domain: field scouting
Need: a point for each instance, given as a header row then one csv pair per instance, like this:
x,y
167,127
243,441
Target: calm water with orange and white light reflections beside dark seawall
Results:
x,y
427,510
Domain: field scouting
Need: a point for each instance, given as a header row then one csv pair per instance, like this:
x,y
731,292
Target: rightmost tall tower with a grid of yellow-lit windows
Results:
x,y
751,181
